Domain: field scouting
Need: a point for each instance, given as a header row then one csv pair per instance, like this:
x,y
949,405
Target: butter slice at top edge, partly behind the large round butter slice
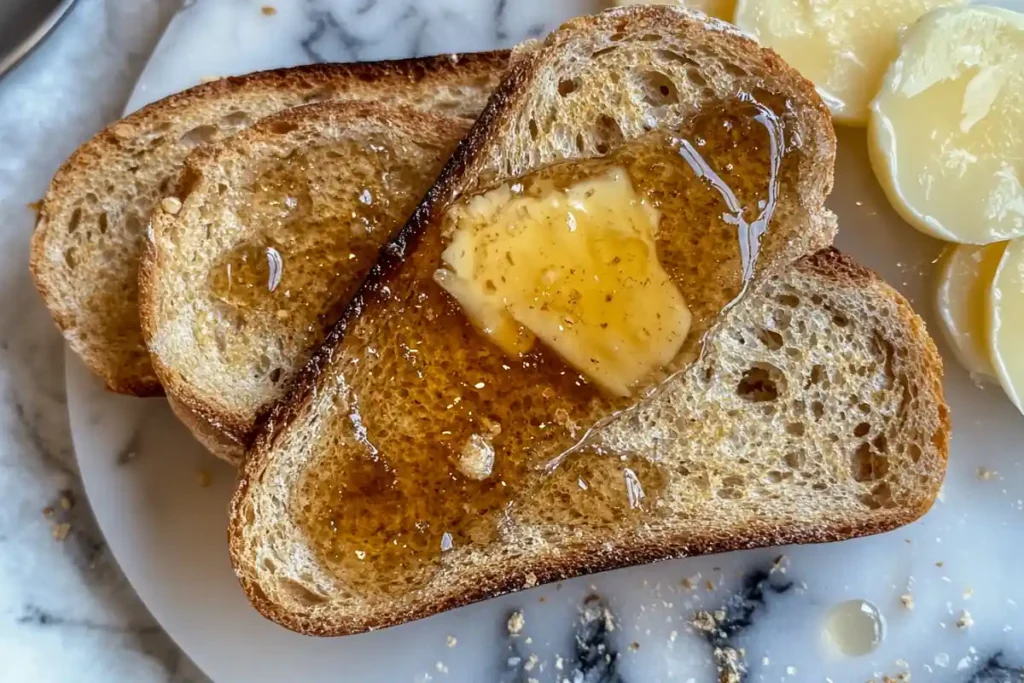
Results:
x,y
843,47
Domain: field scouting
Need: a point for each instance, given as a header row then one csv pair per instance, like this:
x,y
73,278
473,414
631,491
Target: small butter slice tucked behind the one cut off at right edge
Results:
x,y
966,276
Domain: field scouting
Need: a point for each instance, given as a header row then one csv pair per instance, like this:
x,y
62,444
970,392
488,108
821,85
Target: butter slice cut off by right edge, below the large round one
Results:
x,y
1006,306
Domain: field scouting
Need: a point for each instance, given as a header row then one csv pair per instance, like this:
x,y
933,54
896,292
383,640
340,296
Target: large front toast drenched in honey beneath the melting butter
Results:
x,y
354,510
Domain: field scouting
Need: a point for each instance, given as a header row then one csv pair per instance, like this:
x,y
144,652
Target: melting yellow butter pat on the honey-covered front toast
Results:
x,y
576,269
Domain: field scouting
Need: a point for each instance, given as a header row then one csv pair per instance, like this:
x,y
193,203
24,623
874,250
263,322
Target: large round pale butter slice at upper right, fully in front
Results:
x,y
947,137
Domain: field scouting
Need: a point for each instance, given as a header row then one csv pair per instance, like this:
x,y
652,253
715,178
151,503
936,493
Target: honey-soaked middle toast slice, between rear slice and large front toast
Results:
x,y
317,189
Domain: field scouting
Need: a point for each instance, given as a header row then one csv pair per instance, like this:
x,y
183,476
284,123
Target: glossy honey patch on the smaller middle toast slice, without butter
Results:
x,y
321,217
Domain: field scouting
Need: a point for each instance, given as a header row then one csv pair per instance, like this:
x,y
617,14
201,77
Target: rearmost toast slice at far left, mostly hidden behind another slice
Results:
x,y
92,226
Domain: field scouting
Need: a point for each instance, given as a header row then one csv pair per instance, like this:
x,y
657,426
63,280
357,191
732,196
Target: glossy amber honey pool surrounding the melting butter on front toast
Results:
x,y
446,440
